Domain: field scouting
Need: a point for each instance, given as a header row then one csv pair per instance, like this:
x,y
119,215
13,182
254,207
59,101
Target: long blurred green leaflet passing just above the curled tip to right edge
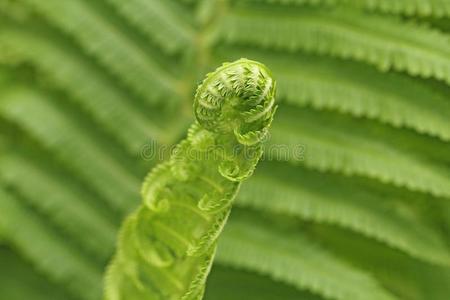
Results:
x,y
415,49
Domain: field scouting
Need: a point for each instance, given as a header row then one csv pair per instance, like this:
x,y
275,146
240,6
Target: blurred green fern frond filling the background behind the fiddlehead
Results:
x,y
354,204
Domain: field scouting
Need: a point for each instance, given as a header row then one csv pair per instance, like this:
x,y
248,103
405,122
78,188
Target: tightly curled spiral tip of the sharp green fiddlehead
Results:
x,y
239,98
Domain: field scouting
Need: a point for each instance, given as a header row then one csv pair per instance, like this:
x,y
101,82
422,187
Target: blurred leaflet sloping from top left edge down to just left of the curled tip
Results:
x,y
125,60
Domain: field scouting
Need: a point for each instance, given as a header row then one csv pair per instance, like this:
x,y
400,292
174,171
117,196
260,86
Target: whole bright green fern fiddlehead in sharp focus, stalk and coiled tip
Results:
x,y
167,245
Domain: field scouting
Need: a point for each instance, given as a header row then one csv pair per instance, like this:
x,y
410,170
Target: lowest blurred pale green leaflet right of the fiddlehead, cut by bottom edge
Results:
x,y
294,259
